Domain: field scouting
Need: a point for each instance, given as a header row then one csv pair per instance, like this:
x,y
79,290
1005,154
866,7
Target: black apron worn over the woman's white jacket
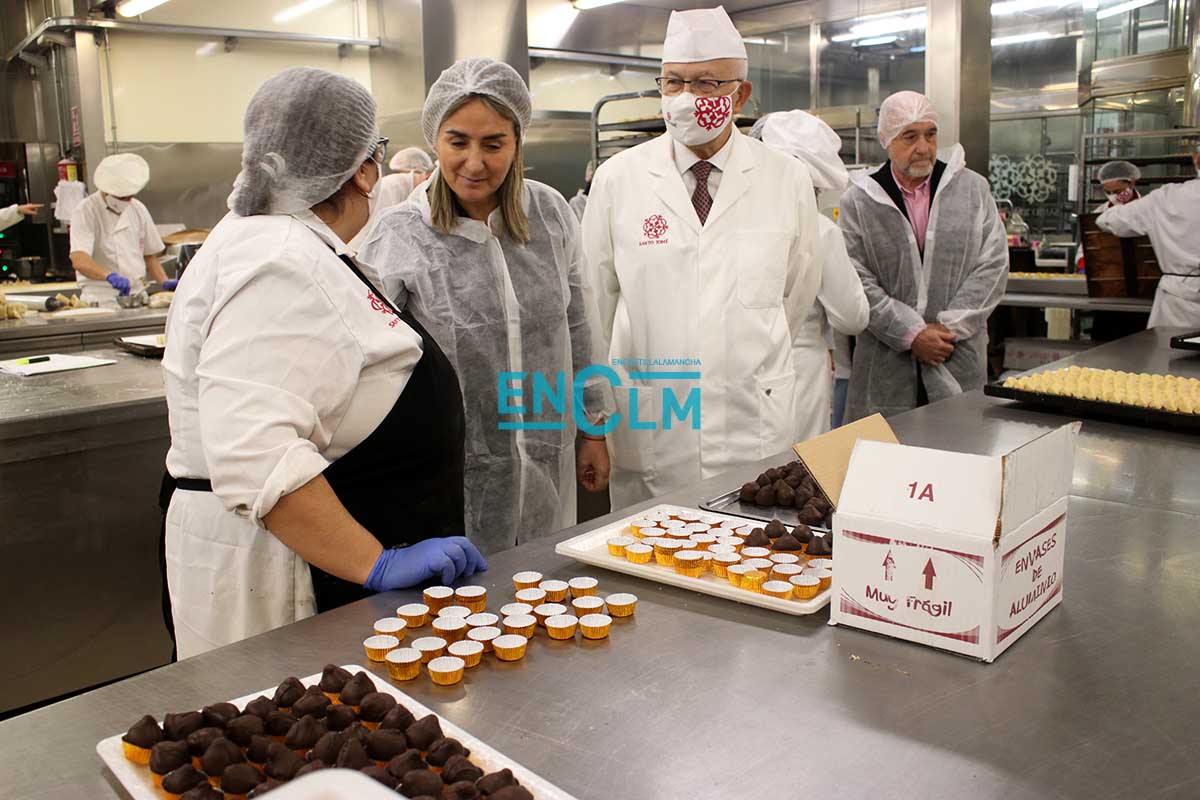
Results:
x,y
404,483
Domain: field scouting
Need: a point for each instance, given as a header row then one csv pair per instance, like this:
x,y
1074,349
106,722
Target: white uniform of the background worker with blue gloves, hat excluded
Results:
x,y
119,244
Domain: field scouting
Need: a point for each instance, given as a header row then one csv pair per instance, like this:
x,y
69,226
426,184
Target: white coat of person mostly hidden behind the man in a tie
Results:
x,y
842,306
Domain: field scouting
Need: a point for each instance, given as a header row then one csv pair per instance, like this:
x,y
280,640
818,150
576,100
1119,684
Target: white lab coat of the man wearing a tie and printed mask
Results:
x,y
731,294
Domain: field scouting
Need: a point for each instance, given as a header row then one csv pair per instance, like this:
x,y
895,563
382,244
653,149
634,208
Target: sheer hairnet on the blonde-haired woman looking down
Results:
x,y
470,77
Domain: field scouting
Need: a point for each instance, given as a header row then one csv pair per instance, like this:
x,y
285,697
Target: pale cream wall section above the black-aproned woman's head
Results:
x,y
189,89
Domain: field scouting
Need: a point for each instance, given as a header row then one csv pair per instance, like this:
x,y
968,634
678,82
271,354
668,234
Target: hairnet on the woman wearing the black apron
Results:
x,y
307,133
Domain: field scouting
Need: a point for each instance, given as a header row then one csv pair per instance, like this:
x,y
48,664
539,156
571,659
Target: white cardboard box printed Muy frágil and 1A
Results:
x,y
950,550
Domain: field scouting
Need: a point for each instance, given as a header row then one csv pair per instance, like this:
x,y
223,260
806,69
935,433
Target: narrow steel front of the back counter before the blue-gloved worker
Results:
x,y
39,334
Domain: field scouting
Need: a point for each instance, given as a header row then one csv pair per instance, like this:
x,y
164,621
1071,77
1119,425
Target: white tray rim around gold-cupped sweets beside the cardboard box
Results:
x,y
593,549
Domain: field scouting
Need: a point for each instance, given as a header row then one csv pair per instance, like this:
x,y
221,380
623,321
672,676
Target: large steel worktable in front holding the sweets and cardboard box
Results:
x,y
705,699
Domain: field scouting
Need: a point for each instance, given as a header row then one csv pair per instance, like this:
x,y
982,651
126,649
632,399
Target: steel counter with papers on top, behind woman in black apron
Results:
x,y
81,459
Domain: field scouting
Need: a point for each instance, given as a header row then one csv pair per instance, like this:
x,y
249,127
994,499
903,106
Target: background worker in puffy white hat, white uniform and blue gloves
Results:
x,y
115,243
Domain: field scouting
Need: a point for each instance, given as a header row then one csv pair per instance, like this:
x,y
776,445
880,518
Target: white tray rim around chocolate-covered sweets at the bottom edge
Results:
x,y
140,784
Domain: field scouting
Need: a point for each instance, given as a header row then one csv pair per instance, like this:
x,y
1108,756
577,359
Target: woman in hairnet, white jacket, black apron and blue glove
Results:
x,y
316,430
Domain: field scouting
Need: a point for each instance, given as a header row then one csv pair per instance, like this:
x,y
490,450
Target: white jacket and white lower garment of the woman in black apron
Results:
x,y
279,362
